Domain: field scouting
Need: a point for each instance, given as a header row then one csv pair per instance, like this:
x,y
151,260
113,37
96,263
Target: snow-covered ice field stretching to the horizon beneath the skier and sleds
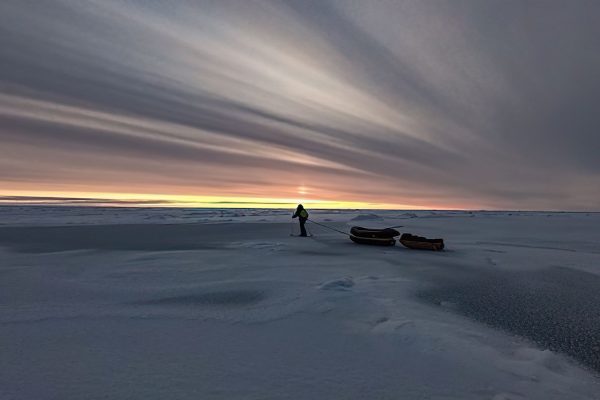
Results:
x,y
109,303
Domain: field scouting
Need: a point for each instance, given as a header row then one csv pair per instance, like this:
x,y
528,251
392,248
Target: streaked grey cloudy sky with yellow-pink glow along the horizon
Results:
x,y
377,104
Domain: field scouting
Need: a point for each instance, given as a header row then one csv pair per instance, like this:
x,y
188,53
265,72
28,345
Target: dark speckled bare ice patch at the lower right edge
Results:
x,y
557,308
